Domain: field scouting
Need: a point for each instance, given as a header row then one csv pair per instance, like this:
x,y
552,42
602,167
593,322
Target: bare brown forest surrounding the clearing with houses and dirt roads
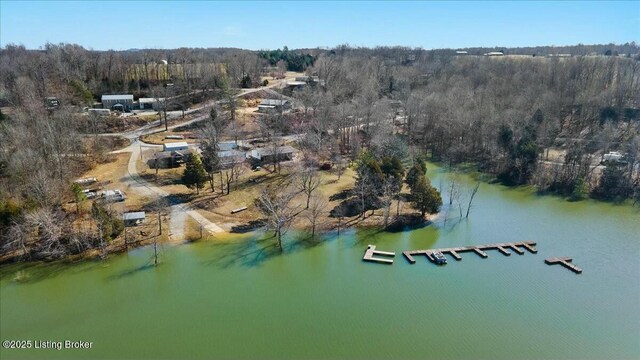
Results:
x,y
519,120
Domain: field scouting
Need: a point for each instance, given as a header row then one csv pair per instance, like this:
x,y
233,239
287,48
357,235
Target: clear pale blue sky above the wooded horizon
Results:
x,y
269,25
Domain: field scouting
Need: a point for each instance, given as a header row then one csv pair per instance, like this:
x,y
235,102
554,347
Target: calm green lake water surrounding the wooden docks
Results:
x,y
241,300
